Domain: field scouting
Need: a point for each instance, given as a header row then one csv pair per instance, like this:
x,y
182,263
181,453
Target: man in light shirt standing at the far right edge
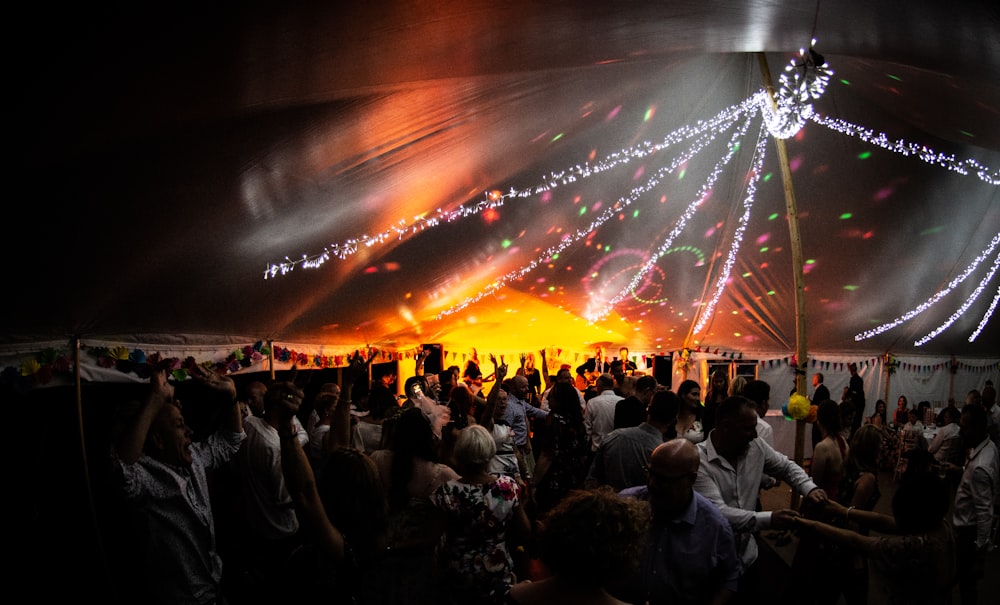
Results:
x,y
975,501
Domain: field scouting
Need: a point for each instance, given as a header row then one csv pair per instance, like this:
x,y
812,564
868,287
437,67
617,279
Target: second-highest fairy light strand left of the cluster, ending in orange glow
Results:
x,y
617,207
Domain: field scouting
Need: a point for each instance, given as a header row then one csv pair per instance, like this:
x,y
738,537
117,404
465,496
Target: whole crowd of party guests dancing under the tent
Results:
x,y
486,485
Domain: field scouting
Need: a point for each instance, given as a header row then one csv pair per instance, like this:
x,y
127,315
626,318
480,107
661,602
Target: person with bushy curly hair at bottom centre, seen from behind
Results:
x,y
590,540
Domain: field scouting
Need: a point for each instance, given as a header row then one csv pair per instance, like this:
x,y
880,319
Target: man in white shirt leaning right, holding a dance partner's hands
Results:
x,y
733,461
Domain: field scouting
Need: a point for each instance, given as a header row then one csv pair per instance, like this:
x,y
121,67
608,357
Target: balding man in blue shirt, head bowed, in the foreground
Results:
x,y
691,554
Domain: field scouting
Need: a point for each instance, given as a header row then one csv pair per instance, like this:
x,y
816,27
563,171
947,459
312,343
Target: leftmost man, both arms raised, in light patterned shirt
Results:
x,y
164,476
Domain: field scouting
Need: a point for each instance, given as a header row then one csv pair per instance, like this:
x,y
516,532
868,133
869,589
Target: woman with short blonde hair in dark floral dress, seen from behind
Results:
x,y
484,514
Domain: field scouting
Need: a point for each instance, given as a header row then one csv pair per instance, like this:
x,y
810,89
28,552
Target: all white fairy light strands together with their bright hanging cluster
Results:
x,y
804,80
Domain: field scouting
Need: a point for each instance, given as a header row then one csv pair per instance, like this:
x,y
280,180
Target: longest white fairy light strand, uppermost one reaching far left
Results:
x,y
720,122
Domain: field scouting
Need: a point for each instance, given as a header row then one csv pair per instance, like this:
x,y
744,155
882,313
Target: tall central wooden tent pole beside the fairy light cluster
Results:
x,y
791,211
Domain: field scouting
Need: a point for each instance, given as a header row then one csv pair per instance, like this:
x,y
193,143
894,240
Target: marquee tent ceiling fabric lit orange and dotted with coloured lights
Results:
x,y
169,156
